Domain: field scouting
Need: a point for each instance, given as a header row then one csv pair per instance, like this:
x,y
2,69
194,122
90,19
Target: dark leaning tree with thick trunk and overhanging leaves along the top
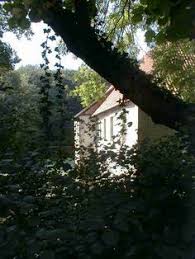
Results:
x,y
82,26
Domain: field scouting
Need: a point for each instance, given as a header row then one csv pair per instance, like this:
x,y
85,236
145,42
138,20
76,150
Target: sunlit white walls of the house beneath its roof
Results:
x,y
139,128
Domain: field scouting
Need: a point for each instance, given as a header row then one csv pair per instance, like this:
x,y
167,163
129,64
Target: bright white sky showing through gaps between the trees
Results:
x,y
29,51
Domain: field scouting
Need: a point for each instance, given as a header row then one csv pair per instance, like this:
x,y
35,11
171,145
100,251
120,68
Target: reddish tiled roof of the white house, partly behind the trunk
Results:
x,y
112,97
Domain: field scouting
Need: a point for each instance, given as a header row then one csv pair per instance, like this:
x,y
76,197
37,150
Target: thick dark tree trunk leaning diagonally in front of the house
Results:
x,y
120,71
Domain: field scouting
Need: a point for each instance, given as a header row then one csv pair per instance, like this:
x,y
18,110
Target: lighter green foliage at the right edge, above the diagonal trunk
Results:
x,y
174,68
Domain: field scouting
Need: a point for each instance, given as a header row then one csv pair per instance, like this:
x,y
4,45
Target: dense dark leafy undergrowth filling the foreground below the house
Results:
x,y
53,211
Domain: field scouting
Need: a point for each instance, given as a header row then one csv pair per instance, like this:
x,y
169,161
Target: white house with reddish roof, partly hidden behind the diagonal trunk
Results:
x,y
113,119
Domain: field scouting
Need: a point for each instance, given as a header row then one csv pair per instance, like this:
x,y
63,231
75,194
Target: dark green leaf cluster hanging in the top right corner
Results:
x,y
164,19
